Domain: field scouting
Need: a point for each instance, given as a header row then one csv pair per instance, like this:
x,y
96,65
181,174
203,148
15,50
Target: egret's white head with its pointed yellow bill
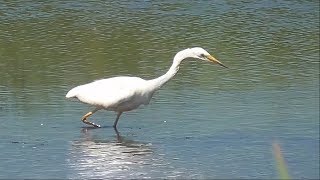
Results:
x,y
200,53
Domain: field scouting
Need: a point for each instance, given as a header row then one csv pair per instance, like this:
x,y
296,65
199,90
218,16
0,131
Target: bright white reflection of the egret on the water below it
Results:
x,y
94,157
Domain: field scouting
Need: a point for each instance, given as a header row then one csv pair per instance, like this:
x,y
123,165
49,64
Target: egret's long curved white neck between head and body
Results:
x,y
160,81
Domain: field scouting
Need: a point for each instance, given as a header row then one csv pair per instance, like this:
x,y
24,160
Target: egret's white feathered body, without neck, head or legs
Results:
x,y
114,93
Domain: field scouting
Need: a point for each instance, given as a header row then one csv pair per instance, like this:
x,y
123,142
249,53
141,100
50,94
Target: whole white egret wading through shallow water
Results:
x,y
126,93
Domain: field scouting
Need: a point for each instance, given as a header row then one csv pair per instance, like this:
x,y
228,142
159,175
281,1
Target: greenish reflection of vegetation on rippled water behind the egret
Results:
x,y
53,46
